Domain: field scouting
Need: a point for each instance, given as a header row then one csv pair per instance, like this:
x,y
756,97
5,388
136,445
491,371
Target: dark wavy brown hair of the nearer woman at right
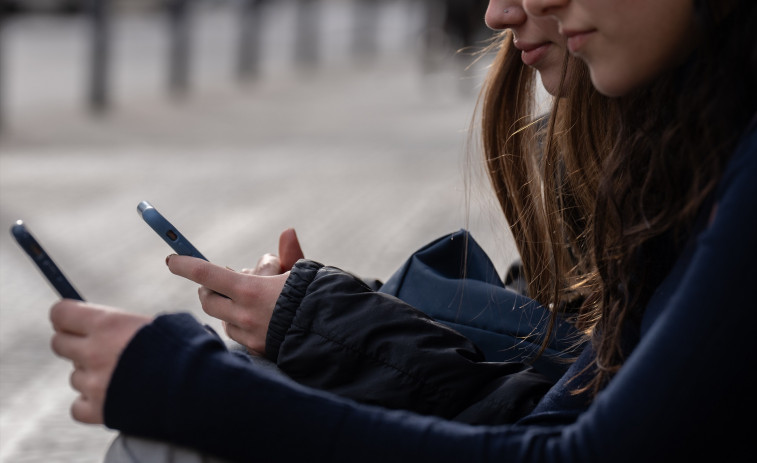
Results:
x,y
674,139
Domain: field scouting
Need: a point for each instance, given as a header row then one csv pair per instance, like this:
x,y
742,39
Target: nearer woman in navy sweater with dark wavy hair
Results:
x,y
670,259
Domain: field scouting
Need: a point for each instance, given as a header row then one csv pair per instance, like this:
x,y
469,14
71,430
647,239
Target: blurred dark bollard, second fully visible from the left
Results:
x,y
179,24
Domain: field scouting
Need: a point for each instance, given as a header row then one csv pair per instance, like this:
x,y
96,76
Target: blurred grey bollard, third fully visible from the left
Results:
x,y
250,36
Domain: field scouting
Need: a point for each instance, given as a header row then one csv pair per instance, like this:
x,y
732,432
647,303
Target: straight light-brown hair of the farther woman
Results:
x,y
545,172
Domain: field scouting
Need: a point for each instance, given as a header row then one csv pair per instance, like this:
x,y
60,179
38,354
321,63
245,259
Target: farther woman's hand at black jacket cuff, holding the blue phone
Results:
x,y
243,302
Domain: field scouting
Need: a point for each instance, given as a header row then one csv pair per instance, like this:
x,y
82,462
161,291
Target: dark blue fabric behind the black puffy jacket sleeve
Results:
x,y
453,281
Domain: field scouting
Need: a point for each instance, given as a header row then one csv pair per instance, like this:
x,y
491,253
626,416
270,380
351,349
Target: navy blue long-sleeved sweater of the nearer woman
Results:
x,y
684,391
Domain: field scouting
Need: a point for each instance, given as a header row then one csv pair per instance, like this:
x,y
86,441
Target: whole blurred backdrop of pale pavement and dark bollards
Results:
x,y
347,119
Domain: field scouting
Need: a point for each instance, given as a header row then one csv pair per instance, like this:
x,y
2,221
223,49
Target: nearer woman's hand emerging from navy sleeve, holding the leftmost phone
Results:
x,y
92,337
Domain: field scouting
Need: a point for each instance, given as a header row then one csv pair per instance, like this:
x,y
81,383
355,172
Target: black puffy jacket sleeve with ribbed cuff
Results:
x,y
331,332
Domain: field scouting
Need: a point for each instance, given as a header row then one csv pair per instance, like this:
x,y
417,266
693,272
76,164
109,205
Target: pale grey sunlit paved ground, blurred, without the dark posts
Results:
x,y
367,162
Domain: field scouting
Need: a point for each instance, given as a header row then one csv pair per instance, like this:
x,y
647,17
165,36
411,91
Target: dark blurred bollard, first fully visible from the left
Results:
x,y
100,47
